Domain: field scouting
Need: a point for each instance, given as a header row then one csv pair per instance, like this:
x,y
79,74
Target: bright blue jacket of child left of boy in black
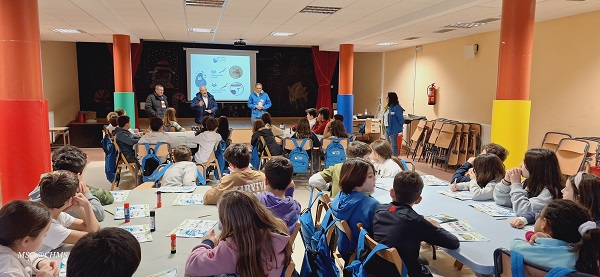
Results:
x,y
354,208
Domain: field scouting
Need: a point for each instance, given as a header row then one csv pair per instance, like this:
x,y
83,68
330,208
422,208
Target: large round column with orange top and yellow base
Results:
x,y
511,110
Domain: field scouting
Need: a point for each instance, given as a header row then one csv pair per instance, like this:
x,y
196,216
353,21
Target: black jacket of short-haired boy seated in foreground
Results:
x,y
398,225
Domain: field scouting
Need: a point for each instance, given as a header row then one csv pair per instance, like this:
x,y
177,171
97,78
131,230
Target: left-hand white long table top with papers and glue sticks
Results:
x,y
156,255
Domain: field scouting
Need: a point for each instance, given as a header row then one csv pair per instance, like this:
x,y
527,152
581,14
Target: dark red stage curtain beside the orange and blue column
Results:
x,y
324,63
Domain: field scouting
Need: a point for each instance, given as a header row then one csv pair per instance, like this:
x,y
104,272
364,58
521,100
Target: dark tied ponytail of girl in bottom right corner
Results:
x,y
589,251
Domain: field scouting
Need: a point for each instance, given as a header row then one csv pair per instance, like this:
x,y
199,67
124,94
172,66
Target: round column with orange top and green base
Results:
x,y
124,96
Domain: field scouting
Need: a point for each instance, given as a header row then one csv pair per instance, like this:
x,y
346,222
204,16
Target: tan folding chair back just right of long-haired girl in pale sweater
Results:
x,y
571,154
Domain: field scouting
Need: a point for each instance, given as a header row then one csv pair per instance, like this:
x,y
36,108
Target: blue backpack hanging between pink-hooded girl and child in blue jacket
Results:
x,y
318,257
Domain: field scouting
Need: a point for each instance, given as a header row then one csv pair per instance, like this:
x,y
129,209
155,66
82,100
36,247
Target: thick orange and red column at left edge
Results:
x,y
25,154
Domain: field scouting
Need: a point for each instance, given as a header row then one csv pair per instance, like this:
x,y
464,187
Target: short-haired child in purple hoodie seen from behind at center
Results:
x,y
278,197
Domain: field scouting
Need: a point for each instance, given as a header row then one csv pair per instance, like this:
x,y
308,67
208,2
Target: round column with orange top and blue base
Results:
x,y
345,102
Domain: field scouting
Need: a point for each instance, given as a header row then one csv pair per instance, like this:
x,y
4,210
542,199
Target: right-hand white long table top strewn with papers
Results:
x,y
476,255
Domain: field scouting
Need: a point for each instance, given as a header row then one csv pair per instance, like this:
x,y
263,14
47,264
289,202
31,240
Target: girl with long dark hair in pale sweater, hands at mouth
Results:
x,y
543,182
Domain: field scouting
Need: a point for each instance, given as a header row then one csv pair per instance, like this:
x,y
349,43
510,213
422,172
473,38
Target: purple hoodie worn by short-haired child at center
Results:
x,y
287,209
